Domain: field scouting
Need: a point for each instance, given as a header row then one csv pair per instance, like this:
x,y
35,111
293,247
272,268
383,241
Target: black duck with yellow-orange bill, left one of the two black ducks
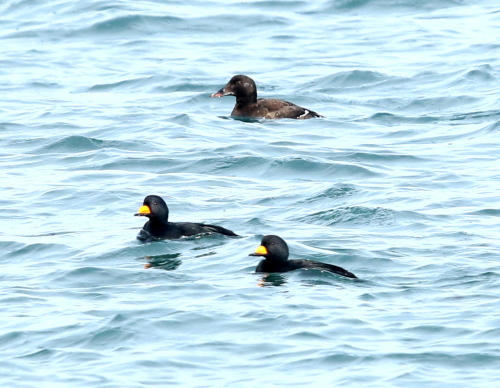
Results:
x,y
158,227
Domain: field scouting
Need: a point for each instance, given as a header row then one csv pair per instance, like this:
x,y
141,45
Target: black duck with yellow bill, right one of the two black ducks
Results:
x,y
275,252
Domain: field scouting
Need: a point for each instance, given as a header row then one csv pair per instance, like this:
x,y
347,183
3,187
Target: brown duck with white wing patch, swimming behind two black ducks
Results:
x,y
247,104
